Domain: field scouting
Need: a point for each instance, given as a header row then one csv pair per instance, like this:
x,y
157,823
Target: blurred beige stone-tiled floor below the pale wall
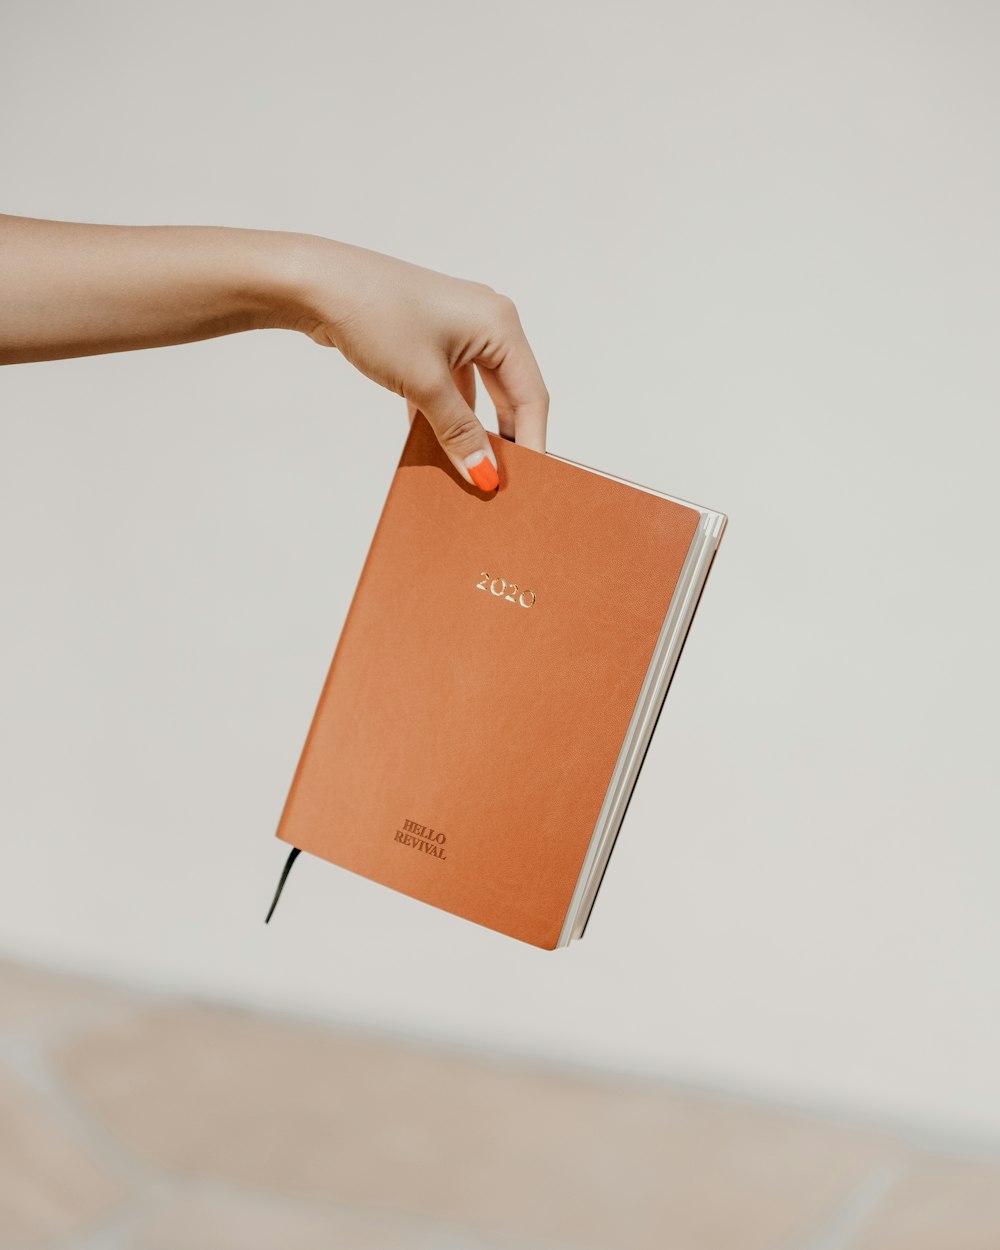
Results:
x,y
139,1123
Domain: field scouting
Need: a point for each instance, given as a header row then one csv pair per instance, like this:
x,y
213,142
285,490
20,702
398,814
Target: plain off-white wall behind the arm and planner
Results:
x,y
756,249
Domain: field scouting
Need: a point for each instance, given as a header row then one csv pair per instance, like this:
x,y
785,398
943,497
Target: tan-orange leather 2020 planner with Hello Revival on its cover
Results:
x,y
497,684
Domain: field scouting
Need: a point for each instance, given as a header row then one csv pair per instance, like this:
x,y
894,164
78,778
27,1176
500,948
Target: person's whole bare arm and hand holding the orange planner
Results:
x,y
72,289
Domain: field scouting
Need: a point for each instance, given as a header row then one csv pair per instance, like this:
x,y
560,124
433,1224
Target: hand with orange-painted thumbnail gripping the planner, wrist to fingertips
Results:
x,y
423,336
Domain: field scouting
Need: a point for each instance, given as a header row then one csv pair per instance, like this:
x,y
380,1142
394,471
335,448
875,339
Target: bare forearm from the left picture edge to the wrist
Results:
x,y
69,289
